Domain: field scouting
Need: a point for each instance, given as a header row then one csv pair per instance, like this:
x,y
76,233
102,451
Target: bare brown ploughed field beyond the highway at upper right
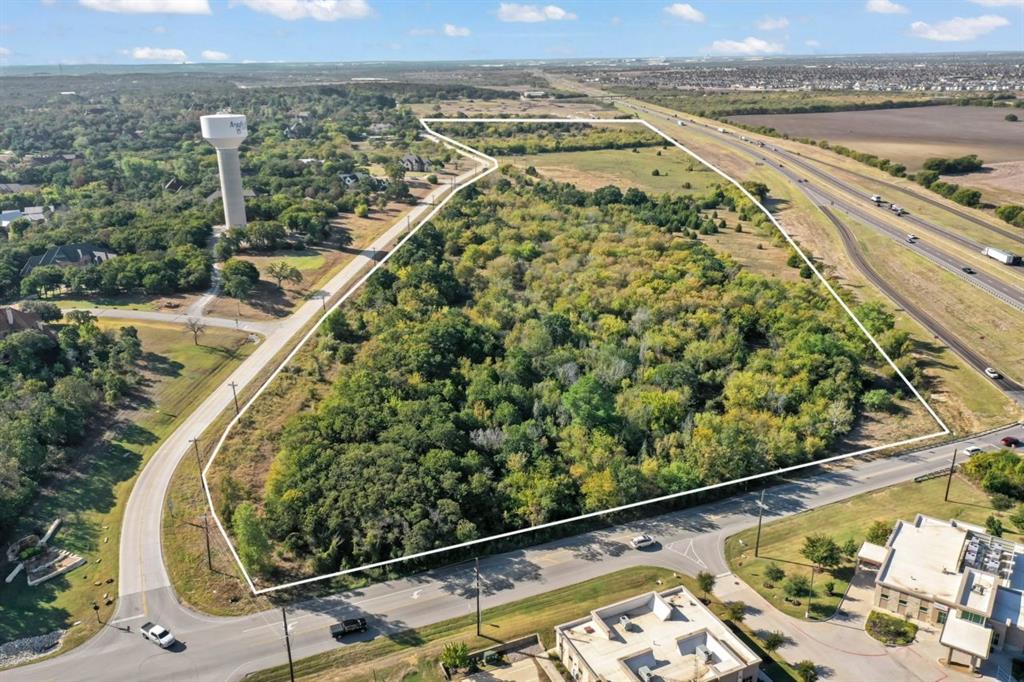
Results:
x,y
908,136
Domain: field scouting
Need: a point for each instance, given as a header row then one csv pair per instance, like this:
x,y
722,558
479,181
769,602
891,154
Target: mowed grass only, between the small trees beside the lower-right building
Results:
x,y
783,540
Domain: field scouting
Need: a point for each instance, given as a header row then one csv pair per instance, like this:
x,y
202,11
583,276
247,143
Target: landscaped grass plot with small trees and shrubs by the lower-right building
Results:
x,y
782,574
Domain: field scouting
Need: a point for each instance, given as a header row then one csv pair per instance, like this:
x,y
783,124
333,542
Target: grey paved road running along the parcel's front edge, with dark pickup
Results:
x,y
690,541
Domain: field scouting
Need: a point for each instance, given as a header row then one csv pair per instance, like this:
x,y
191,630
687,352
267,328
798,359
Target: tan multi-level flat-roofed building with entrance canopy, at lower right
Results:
x,y
957,576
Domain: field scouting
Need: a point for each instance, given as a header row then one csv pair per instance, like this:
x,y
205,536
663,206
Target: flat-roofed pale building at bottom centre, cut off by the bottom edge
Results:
x,y
655,637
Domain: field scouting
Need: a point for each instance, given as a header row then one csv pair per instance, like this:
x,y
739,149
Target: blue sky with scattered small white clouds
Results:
x,y
42,32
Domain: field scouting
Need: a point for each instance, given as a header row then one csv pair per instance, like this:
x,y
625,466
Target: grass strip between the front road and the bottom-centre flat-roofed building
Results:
x,y
413,655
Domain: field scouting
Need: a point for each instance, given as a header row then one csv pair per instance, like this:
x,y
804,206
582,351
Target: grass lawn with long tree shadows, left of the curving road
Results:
x,y
92,497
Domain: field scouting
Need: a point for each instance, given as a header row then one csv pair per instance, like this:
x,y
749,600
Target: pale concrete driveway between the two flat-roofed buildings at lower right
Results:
x,y
842,645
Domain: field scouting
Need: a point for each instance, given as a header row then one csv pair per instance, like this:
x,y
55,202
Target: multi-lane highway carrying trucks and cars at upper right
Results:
x,y
821,193
